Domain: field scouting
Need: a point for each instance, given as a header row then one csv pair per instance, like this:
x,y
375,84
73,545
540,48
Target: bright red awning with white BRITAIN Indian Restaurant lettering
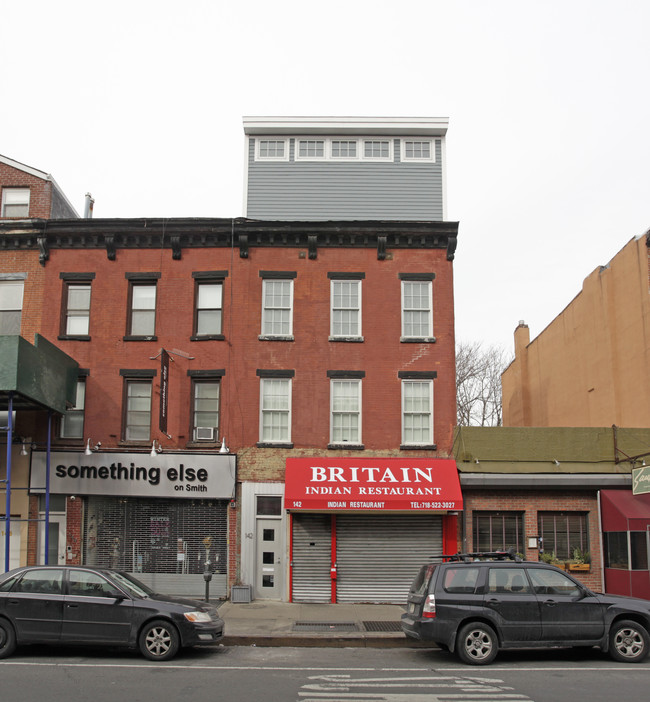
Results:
x,y
416,484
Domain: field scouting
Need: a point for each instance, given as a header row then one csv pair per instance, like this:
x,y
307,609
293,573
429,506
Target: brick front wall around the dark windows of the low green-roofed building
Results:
x,y
531,504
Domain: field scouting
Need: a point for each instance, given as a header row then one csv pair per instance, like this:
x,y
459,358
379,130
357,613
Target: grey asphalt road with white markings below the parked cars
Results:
x,y
316,675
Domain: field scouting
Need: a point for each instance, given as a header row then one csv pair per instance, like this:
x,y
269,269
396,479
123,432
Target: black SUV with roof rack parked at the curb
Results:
x,y
477,603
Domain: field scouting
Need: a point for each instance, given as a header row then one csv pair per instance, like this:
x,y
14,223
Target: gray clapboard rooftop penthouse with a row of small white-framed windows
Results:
x,y
345,168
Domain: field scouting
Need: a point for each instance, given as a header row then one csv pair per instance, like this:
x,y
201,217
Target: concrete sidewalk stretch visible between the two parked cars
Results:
x,y
270,623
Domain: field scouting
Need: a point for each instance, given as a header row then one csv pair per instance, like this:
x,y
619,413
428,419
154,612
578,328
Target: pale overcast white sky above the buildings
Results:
x,y
141,102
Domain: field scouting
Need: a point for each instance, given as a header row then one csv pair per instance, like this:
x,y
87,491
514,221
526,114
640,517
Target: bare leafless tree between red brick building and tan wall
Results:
x,y
478,384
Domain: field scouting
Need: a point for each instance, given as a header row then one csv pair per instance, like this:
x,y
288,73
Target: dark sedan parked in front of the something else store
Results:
x,y
80,605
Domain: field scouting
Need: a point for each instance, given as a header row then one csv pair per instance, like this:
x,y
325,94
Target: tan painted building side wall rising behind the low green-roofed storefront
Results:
x,y
591,366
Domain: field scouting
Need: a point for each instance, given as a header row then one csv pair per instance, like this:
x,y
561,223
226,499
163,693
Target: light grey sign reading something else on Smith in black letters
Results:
x,y
188,475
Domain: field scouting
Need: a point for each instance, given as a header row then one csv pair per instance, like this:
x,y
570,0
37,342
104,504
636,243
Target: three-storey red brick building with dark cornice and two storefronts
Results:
x,y
222,360
